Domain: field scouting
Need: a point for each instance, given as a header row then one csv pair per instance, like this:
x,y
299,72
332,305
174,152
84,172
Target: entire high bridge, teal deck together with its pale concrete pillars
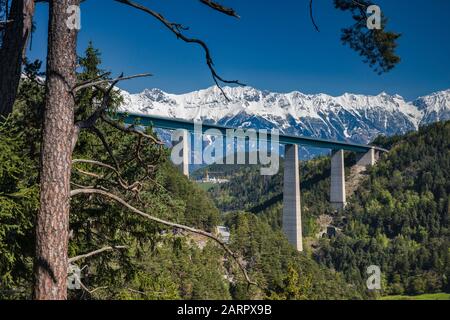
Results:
x,y
292,220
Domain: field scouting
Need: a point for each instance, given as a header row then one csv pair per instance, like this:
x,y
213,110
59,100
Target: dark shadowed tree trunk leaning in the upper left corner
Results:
x,y
13,51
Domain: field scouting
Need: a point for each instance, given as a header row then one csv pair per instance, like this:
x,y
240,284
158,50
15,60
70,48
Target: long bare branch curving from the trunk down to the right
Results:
x,y
167,223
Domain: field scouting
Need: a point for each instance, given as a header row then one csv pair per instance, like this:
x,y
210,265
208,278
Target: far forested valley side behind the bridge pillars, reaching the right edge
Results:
x,y
398,218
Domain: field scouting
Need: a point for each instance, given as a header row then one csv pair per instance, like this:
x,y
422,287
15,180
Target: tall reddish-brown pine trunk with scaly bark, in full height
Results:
x,y
53,219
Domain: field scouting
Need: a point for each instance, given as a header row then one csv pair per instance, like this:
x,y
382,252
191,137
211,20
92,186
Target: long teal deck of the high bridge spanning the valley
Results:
x,y
174,124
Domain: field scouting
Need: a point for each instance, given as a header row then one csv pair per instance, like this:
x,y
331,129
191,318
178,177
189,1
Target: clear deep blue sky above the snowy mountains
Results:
x,y
273,46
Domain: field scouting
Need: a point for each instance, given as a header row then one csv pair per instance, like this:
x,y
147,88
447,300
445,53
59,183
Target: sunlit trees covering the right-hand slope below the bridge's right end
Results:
x,y
399,218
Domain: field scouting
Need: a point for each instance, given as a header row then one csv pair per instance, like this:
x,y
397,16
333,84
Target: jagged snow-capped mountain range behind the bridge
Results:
x,y
350,117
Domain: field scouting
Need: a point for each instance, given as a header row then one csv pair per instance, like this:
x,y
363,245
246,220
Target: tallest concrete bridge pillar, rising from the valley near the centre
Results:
x,y
292,219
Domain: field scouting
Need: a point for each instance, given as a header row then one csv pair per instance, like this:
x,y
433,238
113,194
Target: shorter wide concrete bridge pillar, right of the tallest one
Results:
x,y
337,191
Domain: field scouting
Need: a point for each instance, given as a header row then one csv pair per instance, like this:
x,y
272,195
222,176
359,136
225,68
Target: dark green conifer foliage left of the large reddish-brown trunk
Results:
x,y
18,204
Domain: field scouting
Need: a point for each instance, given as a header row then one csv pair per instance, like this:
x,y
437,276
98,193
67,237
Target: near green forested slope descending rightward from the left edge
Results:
x,y
122,254
